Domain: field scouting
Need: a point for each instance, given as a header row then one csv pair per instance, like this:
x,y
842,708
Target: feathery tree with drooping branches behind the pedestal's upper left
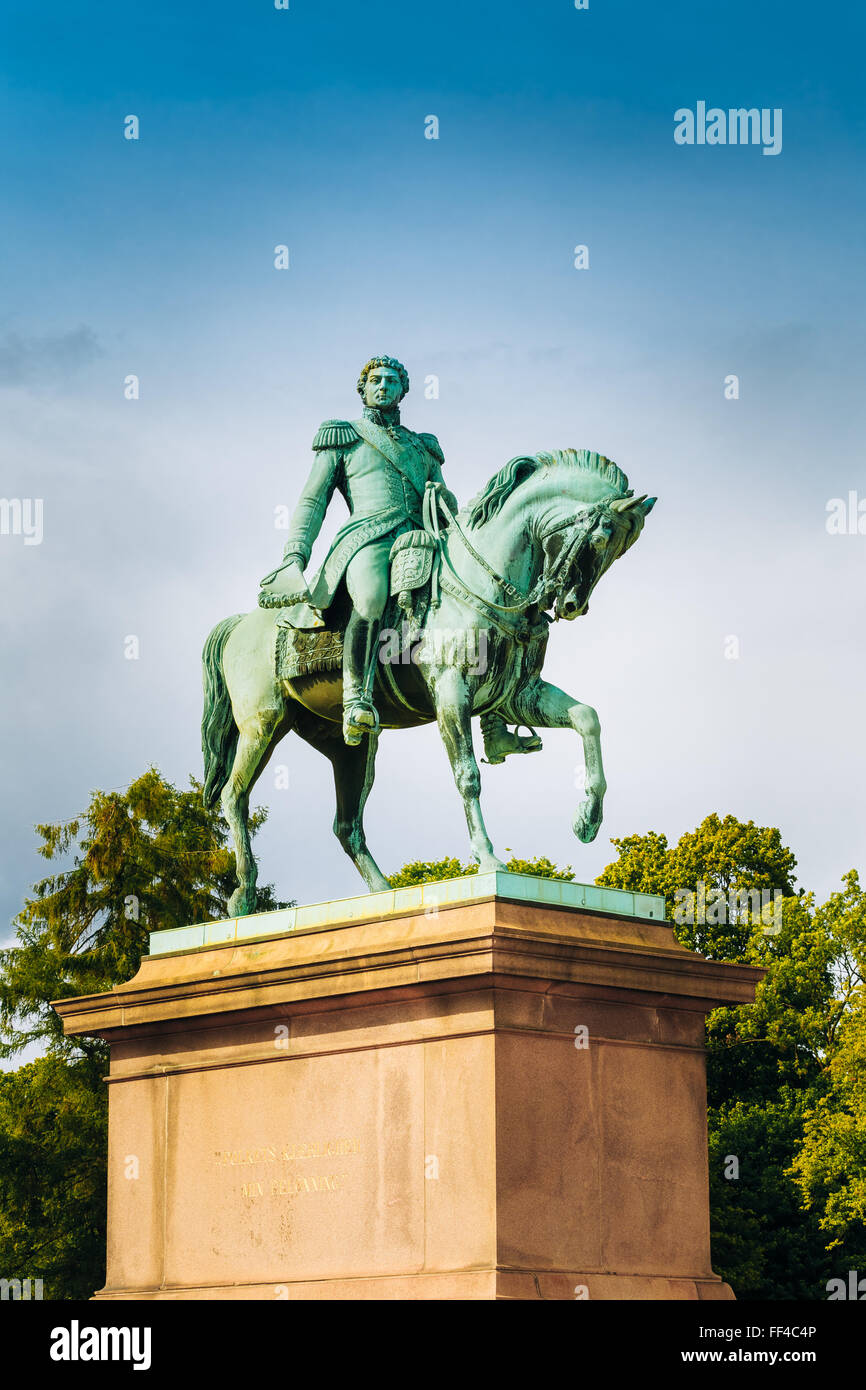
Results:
x,y
149,858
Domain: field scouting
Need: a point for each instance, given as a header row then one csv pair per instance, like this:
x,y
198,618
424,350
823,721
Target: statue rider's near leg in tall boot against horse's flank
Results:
x,y
368,584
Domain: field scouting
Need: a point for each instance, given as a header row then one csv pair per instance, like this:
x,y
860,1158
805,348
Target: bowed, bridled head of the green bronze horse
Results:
x,y
580,548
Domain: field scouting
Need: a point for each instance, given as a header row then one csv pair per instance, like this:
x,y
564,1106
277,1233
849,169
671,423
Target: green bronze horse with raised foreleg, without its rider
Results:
x,y
537,539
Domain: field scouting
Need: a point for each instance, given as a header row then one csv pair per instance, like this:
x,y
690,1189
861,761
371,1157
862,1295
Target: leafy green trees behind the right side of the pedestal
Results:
x,y
771,1065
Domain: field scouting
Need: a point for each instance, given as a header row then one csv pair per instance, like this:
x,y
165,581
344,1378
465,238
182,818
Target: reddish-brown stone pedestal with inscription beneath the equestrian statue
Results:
x,y
489,1099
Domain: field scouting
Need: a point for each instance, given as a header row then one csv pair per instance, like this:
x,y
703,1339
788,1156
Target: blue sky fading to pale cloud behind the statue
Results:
x,y
307,127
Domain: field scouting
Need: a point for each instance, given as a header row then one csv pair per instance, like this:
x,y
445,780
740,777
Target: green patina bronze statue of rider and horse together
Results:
x,y
422,612
